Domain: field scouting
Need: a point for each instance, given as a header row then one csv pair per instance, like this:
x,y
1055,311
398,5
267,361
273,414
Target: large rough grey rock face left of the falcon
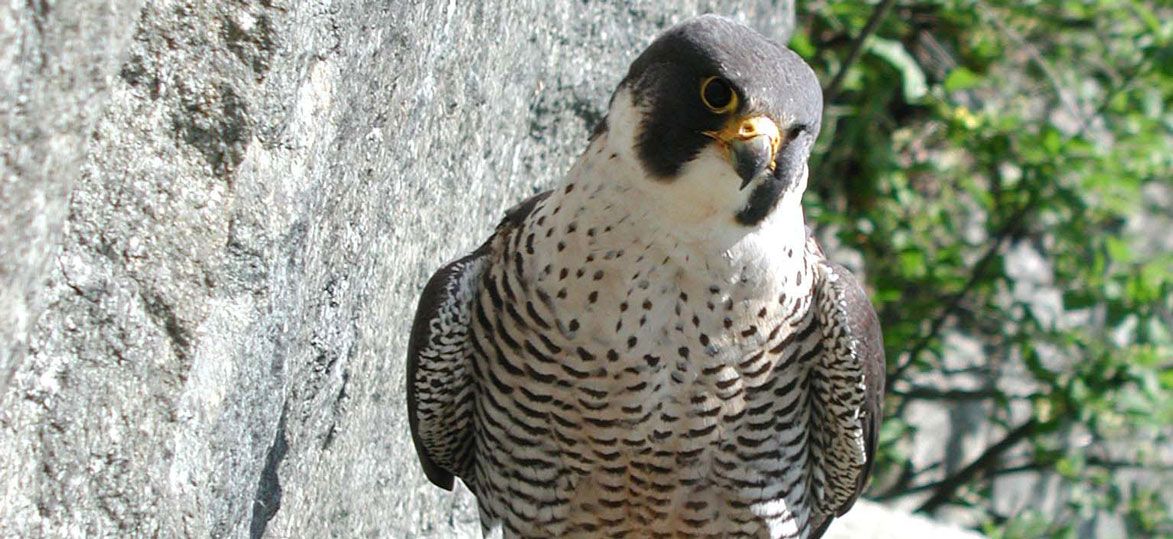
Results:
x,y
216,222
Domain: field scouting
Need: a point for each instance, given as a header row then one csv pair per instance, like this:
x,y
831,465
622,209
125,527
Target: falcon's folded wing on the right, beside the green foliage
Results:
x,y
846,394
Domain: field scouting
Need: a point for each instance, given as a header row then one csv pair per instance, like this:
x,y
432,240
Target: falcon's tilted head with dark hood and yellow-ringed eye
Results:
x,y
720,121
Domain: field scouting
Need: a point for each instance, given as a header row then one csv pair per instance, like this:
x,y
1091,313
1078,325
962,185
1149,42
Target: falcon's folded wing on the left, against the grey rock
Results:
x,y
440,381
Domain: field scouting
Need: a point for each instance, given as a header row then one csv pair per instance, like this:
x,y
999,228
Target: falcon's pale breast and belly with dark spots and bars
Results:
x,y
623,393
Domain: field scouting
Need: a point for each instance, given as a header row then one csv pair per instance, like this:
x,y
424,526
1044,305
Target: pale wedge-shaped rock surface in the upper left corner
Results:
x,y
56,65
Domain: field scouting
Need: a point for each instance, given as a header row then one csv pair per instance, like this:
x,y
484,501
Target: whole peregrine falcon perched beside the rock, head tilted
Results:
x,y
657,347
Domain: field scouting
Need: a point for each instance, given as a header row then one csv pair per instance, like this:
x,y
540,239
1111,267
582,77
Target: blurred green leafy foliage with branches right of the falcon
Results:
x,y
966,132
